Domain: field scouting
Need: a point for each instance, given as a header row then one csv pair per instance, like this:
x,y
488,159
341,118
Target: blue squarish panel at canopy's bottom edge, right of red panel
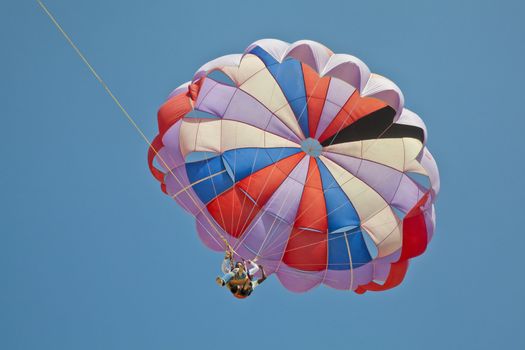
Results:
x,y
338,246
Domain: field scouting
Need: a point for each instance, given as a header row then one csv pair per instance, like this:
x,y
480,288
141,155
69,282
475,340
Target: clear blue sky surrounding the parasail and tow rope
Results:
x,y
94,256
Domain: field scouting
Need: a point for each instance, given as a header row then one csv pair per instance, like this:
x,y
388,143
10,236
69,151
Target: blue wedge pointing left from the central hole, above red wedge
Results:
x,y
242,162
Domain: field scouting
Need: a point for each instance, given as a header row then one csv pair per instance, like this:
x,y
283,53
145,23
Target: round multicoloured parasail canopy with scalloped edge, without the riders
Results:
x,y
303,159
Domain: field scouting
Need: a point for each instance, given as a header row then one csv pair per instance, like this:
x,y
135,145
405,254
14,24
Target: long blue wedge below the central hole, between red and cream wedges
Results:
x,y
341,214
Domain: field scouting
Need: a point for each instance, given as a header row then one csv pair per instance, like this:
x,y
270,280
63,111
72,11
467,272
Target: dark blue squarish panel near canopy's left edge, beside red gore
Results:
x,y
212,175
